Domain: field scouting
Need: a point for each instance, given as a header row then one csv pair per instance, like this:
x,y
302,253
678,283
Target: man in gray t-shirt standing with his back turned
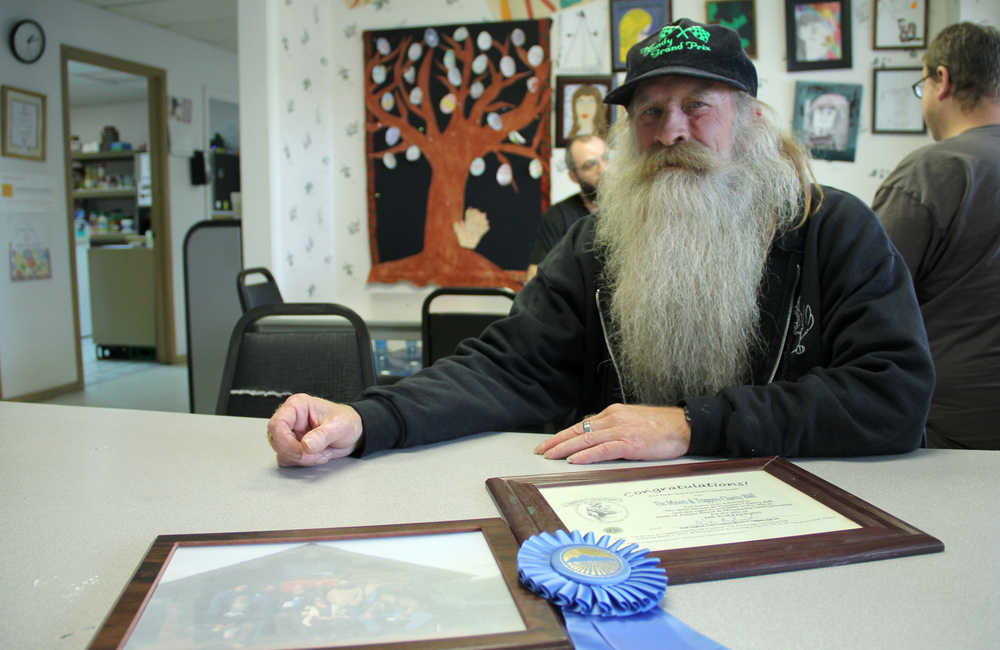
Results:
x,y
941,207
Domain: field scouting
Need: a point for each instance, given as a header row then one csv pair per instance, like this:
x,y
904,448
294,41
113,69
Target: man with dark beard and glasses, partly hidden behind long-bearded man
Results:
x,y
586,158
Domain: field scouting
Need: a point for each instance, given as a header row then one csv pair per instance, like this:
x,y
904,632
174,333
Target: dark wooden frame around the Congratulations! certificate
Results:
x,y
877,534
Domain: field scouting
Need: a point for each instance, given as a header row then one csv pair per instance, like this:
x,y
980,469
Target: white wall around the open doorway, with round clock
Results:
x,y
37,350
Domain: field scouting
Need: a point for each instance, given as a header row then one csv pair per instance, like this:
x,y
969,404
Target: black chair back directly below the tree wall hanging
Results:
x,y
442,331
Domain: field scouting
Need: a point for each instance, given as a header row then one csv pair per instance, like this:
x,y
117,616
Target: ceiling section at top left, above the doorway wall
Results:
x,y
209,21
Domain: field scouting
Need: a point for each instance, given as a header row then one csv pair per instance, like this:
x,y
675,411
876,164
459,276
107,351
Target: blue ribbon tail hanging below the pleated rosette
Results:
x,y
651,630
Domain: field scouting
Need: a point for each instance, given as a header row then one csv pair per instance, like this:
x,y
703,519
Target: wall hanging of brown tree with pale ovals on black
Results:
x,y
457,151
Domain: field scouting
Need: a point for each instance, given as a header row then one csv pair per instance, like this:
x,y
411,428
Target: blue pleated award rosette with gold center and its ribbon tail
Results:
x,y
609,592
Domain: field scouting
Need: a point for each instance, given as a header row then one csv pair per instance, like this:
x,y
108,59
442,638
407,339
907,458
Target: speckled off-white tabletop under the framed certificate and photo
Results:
x,y
85,491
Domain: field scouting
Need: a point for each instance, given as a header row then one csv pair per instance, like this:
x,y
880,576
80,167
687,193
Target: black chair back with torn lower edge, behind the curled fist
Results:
x,y
312,353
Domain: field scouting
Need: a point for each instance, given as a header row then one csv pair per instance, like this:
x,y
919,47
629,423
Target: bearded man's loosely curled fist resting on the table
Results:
x,y
308,430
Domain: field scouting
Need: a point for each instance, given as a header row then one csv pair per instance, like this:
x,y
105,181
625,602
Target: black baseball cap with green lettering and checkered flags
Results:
x,y
690,49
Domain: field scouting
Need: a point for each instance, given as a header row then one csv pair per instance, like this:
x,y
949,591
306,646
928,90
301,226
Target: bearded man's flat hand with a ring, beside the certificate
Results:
x,y
630,432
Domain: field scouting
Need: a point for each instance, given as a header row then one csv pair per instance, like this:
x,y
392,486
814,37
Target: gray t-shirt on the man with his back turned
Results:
x,y
941,207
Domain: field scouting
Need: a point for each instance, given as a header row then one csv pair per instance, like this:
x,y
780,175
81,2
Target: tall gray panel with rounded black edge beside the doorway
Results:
x,y
213,254
